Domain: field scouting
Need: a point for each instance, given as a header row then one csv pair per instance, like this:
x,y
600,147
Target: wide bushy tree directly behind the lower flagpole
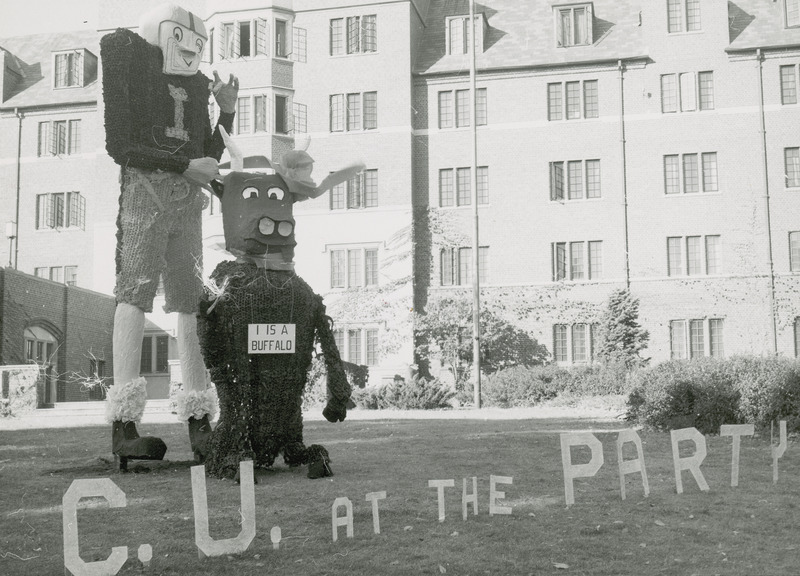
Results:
x,y
445,330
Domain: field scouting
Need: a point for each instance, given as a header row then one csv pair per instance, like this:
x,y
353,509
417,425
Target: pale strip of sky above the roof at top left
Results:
x,y
16,16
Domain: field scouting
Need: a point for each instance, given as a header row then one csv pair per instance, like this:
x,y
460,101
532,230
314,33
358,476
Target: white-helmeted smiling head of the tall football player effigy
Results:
x,y
180,34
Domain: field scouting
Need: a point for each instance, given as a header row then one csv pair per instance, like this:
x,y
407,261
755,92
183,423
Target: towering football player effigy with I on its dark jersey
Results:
x,y
158,131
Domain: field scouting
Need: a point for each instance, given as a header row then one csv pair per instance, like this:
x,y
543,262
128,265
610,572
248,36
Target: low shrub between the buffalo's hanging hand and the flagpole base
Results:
x,y
418,393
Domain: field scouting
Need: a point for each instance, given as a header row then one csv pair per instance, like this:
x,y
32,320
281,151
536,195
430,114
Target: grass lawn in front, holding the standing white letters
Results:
x,y
749,530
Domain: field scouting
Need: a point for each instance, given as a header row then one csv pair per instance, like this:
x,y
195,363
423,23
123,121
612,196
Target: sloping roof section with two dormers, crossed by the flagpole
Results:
x,y
522,33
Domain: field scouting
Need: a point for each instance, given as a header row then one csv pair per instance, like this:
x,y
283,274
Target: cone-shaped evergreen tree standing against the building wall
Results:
x,y
621,337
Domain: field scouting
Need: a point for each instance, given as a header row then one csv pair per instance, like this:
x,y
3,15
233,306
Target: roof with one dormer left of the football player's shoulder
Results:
x,y
33,57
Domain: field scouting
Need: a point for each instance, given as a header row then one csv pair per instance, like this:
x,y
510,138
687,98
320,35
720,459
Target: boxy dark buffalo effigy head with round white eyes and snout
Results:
x,y
257,218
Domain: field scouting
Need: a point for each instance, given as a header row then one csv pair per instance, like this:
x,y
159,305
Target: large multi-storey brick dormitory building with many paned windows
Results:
x,y
653,144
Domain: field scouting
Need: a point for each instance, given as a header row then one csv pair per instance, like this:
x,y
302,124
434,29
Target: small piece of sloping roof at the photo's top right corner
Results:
x,y
759,24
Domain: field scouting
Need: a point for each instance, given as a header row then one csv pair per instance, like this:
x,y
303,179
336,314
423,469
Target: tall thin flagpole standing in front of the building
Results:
x,y
476,299
